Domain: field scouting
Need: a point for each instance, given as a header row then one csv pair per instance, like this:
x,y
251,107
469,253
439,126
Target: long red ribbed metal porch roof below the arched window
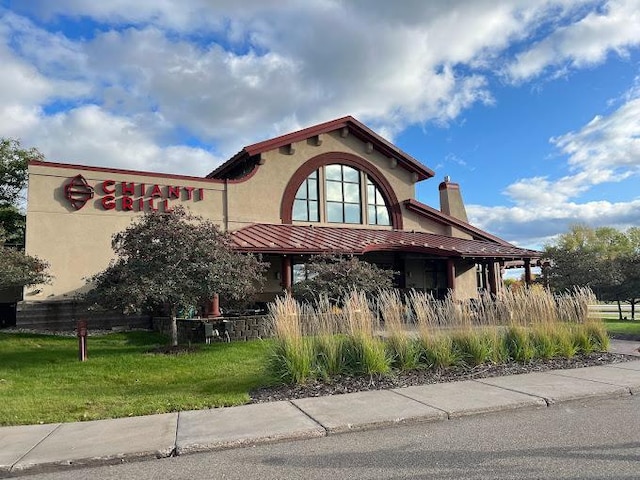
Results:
x,y
306,239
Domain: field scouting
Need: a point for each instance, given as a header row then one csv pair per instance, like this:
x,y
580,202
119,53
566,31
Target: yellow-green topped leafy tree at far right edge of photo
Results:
x,y
605,259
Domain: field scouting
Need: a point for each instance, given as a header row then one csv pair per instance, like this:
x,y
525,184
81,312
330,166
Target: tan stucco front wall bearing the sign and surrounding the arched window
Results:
x,y
77,243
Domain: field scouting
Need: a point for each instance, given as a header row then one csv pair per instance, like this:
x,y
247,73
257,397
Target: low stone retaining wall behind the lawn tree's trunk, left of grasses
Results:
x,y
192,330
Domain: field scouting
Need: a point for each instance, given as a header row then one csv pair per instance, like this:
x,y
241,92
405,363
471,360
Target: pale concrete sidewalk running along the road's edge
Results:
x,y
32,448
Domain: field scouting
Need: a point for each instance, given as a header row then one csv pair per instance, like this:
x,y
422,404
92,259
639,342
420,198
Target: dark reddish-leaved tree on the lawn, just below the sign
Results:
x,y
175,260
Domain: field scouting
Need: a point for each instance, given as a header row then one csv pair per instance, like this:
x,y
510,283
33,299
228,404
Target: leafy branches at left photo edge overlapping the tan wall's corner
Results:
x,y
18,269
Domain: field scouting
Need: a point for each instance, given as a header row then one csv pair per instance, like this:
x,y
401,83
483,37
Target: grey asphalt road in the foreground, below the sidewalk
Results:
x,y
590,439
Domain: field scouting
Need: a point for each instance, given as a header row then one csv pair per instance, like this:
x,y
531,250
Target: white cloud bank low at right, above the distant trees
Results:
x,y
606,150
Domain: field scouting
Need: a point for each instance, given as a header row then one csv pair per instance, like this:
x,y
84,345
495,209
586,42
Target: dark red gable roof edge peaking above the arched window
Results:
x,y
355,127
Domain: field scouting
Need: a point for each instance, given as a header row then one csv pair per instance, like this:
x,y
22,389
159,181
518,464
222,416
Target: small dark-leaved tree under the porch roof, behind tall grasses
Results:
x,y
334,275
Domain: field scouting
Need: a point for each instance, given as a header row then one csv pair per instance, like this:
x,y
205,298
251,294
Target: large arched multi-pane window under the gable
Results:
x,y
336,193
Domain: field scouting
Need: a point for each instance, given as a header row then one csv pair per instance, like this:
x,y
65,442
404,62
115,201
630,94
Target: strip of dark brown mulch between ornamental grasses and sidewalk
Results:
x,y
350,384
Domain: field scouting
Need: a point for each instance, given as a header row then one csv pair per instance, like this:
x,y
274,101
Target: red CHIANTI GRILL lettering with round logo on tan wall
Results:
x,y
128,196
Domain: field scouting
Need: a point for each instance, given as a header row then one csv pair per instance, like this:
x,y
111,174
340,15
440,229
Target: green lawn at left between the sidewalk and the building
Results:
x,y
42,381
